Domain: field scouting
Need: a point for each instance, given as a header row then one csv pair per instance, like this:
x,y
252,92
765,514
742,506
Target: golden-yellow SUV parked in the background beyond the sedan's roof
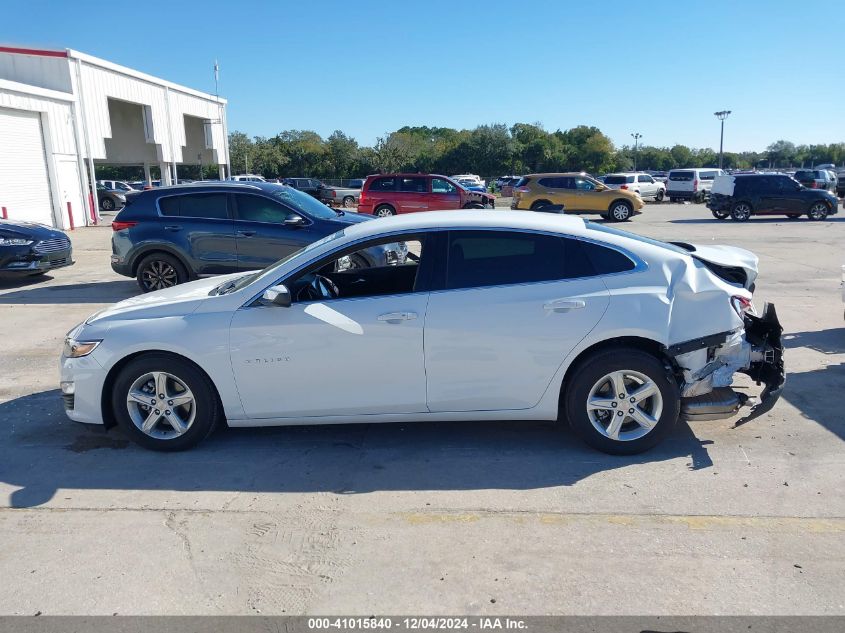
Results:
x,y
578,193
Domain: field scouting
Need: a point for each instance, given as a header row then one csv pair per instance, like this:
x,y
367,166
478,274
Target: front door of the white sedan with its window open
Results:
x,y
360,354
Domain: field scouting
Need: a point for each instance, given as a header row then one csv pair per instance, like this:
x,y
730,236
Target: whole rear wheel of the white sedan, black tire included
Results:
x,y
593,379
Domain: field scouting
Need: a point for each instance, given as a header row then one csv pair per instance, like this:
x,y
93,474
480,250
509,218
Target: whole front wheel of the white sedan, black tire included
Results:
x,y
157,374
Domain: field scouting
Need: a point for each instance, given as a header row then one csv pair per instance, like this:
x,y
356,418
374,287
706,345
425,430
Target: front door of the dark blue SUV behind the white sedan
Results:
x,y
266,231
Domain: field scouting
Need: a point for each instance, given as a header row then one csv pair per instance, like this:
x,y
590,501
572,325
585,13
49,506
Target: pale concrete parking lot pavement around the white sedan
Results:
x,y
476,518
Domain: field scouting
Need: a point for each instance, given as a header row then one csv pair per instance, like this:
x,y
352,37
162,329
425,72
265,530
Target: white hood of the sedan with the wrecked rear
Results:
x,y
177,301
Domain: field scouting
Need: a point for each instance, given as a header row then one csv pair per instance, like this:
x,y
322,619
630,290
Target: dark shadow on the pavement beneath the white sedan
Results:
x,y
42,451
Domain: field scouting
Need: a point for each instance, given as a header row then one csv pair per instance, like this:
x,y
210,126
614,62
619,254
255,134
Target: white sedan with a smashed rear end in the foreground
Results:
x,y
494,315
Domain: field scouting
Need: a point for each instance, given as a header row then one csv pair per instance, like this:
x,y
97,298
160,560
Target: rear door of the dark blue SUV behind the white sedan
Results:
x,y
201,225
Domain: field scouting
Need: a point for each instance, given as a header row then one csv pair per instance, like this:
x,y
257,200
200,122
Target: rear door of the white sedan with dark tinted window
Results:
x,y
514,304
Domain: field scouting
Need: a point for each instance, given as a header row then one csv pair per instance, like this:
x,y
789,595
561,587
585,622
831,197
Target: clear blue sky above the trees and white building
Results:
x,y
368,67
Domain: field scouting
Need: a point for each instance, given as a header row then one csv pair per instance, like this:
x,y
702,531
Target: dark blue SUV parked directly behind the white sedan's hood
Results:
x,y
170,235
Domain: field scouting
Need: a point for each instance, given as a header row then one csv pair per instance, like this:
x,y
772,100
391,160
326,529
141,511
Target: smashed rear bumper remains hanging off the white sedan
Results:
x,y
758,352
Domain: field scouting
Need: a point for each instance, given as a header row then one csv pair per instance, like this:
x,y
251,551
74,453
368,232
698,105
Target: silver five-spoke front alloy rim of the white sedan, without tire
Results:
x,y
161,405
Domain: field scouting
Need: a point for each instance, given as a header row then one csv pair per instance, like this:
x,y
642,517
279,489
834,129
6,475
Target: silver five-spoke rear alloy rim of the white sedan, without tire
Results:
x,y
624,405
